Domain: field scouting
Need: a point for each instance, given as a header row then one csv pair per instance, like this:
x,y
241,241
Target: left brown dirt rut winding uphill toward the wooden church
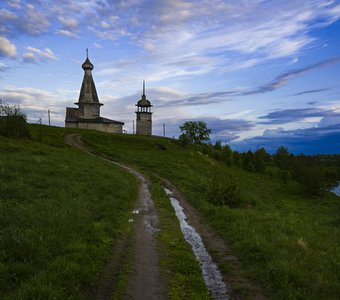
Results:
x,y
145,281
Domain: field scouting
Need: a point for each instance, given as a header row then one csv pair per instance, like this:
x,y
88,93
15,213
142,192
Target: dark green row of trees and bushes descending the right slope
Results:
x,y
313,173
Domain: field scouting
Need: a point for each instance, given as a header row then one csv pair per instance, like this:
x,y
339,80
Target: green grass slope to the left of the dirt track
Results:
x,y
61,211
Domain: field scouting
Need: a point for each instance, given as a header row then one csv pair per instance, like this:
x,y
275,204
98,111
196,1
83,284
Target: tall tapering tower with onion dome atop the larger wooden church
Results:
x,y
89,106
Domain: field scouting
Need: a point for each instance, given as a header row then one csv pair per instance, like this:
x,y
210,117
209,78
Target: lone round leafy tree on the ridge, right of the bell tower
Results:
x,y
194,132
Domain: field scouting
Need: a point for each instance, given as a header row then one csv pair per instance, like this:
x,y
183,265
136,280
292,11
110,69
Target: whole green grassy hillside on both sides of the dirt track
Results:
x,y
62,210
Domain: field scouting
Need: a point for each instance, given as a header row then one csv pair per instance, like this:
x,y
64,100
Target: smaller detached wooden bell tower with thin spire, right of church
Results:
x,y
144,115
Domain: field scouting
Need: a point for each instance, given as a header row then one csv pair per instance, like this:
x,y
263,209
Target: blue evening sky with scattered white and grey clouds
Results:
x,y
260,73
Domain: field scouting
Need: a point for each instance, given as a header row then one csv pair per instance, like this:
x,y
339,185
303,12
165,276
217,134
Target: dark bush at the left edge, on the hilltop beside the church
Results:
x,y
13,123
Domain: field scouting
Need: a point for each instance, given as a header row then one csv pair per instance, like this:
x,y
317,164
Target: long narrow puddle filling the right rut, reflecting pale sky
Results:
x,y
211,274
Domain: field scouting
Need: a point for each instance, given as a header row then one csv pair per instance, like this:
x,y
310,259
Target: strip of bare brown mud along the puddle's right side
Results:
x,y
239,288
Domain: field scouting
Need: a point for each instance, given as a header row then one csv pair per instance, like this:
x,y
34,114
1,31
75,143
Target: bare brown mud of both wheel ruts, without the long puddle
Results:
x,y
145,280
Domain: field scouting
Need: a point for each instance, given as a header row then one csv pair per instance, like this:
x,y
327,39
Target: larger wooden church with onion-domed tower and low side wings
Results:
x,y
87,115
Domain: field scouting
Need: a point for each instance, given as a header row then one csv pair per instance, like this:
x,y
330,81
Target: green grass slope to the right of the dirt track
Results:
x,y
287,242
